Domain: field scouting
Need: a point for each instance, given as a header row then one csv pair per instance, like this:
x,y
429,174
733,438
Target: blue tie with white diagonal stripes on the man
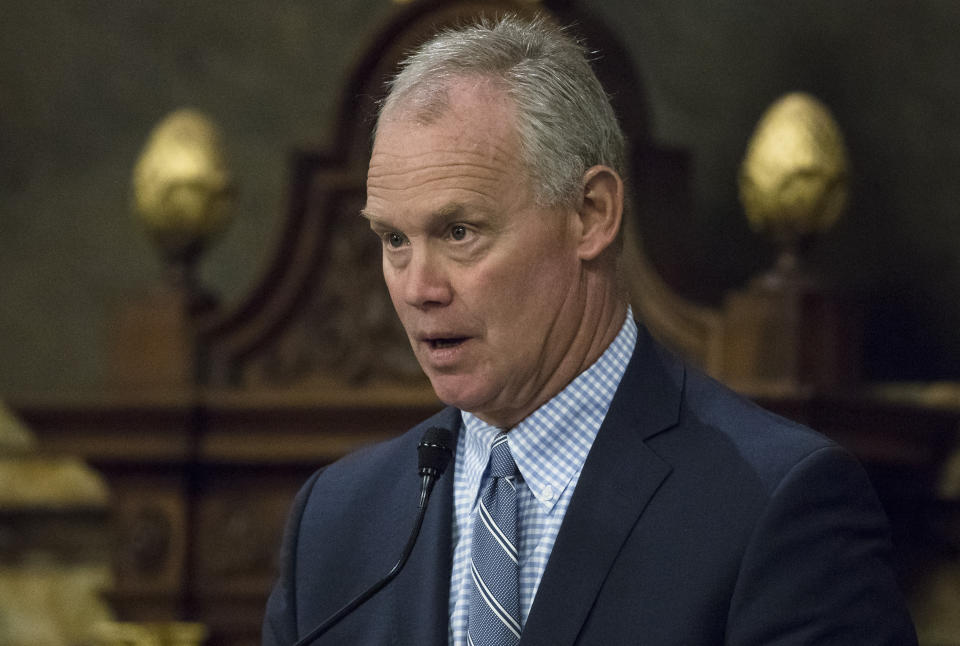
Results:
x,y
495,564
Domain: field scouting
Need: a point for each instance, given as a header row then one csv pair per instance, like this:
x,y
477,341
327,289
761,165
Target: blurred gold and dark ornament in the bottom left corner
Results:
x,y
54,552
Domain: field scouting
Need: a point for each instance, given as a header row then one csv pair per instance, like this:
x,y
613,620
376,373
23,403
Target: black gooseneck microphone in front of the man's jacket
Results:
x,y
433,455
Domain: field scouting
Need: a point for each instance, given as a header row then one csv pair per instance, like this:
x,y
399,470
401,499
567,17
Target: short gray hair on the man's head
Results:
x,y
565,122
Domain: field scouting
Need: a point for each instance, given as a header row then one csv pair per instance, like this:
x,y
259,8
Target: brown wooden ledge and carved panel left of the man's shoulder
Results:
x,y
201,485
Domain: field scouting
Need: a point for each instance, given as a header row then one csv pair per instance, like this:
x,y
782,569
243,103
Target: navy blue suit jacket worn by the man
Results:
x,y
699,519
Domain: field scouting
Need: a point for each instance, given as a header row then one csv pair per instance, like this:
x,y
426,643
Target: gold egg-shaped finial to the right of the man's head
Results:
x,y
794,177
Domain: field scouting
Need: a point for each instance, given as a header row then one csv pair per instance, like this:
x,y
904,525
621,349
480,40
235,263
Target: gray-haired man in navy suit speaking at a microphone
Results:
x,y
601,492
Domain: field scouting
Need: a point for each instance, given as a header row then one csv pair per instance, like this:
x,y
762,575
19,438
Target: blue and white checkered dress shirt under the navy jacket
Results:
x,y
549,447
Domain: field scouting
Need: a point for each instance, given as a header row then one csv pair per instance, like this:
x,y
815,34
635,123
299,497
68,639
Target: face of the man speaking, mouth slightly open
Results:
x,y
486,283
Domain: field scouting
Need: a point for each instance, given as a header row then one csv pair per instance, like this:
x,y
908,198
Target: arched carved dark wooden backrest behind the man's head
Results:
x,y
321,314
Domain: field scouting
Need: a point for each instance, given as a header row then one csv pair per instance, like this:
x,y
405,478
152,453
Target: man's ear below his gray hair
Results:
x,y
601,211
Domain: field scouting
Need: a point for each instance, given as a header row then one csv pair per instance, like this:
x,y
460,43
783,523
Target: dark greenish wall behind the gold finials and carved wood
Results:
x,y
82,83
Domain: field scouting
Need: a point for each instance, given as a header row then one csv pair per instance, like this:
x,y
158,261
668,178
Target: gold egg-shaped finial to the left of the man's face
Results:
x,y
181,186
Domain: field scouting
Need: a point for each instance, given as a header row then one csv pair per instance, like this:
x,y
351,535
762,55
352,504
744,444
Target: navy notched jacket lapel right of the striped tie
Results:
x,y
618,480
